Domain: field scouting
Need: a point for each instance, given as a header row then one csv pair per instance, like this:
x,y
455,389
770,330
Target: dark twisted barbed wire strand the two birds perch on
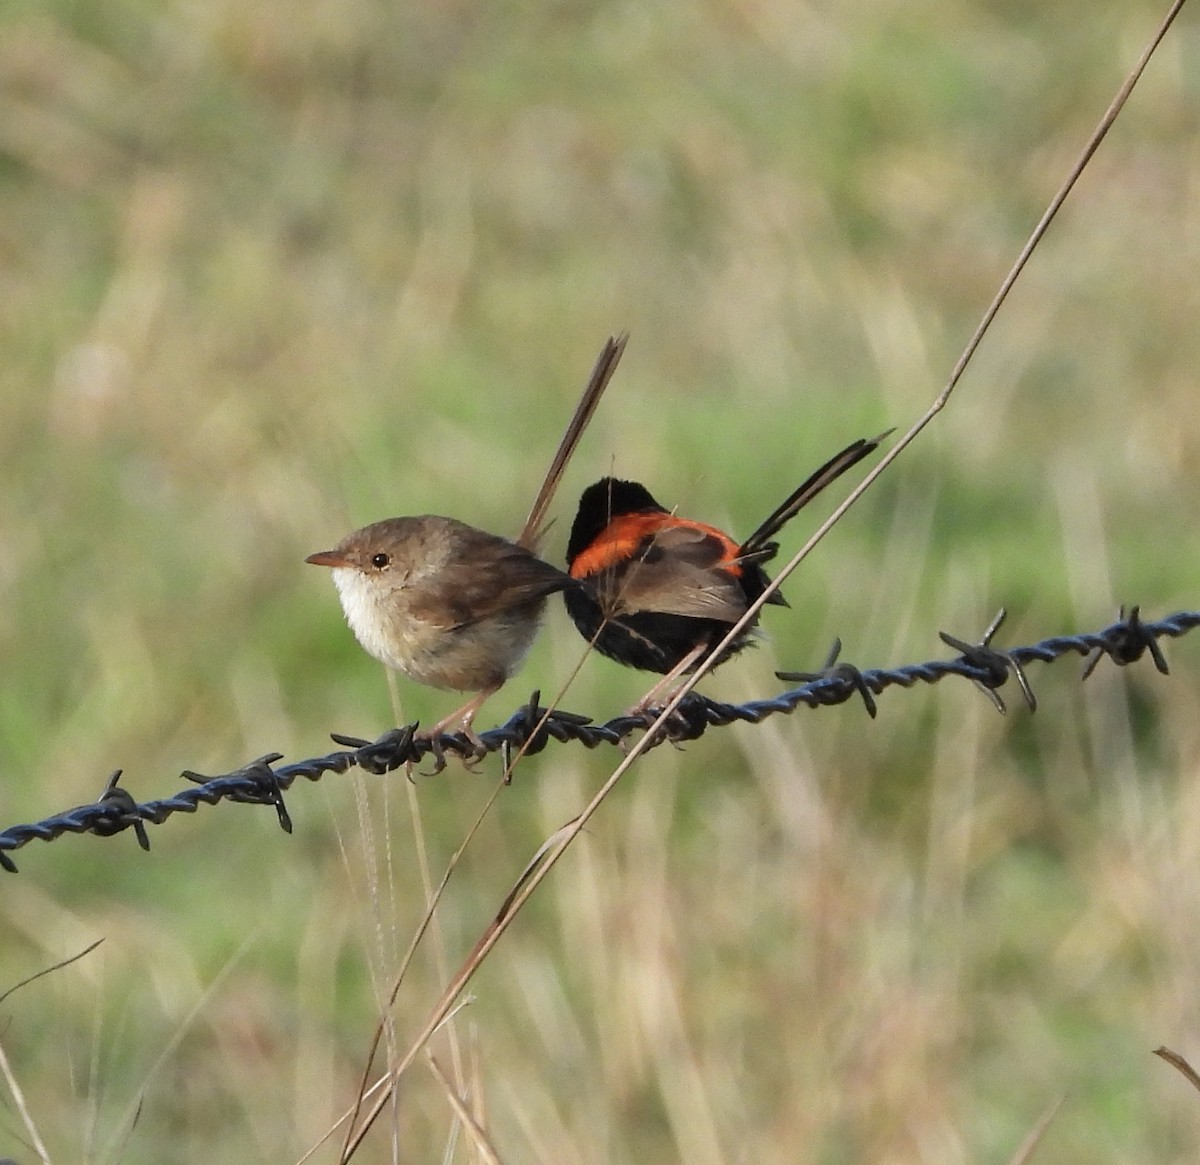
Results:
x,y
531,729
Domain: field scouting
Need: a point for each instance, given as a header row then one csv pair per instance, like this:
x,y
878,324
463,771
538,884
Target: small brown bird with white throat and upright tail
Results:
x,y
452,606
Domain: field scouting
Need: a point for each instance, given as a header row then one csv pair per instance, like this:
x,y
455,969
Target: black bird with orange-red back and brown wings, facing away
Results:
x,y
661,592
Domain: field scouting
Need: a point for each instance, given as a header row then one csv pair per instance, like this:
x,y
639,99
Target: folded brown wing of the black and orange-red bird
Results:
x,y
676,573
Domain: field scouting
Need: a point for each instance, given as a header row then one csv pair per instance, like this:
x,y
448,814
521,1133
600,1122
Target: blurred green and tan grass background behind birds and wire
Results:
x,y
272,272
